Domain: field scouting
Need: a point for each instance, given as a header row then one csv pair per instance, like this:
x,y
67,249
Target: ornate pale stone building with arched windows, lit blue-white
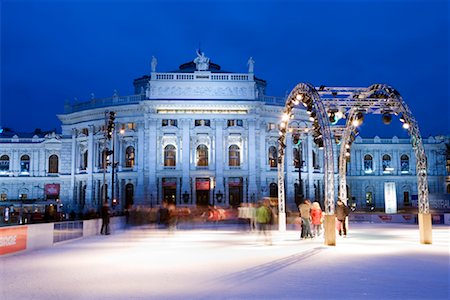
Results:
x,y
195,136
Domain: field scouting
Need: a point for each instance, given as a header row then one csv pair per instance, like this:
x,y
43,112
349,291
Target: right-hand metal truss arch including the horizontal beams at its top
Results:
x,y
380,99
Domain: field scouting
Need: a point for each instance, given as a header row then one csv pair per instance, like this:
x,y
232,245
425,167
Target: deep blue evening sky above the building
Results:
x,y
57,50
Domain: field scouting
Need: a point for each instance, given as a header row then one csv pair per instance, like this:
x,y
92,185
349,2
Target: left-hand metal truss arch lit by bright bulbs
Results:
x,y
307,93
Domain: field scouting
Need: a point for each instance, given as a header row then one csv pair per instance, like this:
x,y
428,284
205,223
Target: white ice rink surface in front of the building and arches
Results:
x,y
375,261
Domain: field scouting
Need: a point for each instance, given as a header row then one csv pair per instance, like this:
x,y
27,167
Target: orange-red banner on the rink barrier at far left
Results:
x,y
13,239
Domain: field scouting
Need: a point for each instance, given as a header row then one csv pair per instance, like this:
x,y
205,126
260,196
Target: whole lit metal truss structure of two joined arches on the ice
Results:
x,y
376,99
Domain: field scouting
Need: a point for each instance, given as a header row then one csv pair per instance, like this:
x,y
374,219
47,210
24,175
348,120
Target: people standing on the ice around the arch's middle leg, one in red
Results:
x,y
311,216
